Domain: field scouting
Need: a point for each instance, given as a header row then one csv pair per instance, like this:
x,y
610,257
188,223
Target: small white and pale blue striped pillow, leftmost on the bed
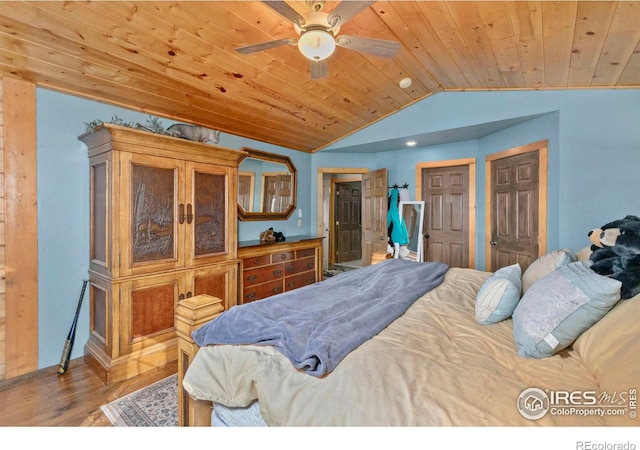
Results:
x,y
499,295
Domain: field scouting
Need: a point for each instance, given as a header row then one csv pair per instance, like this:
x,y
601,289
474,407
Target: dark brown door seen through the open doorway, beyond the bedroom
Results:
x,y
348,226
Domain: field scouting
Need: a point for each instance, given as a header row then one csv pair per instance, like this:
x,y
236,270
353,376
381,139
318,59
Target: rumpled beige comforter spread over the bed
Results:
x,y
434,366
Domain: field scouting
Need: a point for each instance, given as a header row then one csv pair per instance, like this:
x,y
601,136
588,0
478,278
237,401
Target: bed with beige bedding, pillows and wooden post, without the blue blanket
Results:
x,y
444,361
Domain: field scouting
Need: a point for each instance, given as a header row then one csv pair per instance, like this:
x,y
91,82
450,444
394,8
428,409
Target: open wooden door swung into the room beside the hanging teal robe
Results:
x,y
374,214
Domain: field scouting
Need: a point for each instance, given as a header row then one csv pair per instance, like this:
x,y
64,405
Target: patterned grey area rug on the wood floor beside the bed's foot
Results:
x,y
153,406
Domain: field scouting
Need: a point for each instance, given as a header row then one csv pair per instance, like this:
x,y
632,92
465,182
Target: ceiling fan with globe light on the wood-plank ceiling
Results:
x,y
318,34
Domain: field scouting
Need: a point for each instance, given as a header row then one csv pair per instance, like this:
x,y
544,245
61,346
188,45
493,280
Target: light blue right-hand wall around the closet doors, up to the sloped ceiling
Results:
x,y
594,150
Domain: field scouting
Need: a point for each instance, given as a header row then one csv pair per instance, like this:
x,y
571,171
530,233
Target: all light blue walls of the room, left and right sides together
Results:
x,y
594,158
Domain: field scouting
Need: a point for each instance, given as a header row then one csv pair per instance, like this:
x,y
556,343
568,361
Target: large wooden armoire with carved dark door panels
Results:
x,y
163,228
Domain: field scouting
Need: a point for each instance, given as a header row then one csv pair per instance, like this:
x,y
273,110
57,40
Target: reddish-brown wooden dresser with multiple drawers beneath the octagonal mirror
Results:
x,y
271,268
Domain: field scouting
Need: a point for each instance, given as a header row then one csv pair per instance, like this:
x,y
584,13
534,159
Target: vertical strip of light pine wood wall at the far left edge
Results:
x,y
19,219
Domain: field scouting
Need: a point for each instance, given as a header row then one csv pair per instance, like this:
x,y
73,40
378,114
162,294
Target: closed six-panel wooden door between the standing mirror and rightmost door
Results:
x,y
445,191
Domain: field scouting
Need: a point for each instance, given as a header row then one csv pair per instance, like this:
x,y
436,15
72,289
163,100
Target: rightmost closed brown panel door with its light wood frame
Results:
x,y
516,191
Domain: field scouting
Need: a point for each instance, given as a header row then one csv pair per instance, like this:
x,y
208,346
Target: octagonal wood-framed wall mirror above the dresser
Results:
x,y
266,186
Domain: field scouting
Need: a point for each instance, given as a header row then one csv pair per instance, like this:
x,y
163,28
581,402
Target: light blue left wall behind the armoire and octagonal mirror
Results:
x,y
63,211
